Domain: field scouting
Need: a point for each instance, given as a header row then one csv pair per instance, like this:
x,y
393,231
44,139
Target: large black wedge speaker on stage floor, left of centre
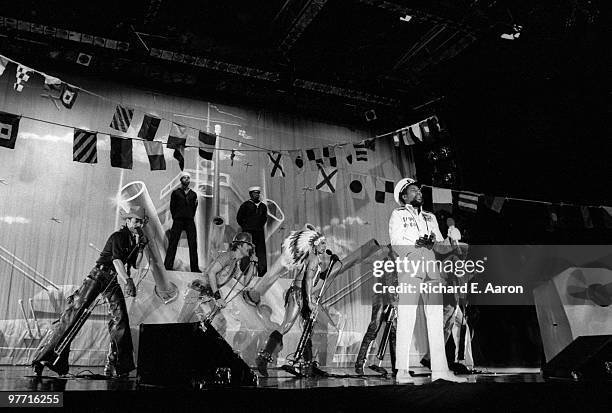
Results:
x,y
189,354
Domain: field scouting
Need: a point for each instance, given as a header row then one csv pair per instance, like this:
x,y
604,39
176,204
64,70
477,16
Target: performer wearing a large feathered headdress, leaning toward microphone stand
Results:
x,y
301,254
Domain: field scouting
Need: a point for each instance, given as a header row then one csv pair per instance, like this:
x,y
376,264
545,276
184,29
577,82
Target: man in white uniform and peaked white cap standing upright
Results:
x,y
415,234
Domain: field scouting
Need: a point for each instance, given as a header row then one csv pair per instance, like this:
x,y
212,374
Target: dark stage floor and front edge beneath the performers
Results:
x,y
495,389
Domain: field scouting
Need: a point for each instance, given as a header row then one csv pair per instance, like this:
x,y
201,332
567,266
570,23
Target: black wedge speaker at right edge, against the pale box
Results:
x,y
586,358
